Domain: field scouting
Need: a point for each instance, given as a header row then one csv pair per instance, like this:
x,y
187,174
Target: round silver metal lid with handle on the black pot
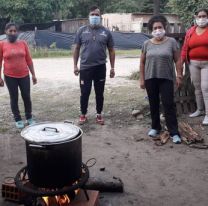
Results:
x,y
50,132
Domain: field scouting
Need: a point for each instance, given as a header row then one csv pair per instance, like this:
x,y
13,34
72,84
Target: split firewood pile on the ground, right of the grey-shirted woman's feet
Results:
x,y
188,135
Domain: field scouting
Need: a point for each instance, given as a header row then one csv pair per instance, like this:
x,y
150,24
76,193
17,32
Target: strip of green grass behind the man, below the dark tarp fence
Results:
x,y
53,53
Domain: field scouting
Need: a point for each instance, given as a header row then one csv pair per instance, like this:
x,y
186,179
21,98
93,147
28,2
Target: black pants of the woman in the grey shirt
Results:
x,y
164,88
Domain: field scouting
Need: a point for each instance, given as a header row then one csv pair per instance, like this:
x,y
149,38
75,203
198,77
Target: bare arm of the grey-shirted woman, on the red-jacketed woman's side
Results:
x,y
179,68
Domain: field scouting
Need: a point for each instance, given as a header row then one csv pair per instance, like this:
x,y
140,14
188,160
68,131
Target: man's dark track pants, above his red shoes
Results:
x,y
97,74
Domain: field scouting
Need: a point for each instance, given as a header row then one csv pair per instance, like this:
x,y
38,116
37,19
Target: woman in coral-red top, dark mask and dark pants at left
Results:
x,y
17,65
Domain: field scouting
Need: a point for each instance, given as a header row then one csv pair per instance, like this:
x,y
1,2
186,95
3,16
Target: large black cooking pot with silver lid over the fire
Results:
x,y
54,154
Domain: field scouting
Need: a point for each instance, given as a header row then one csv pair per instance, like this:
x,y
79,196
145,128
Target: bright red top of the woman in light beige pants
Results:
x,y
198,46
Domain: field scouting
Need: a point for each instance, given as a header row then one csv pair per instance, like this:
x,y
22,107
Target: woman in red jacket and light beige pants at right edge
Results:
x,y
195,53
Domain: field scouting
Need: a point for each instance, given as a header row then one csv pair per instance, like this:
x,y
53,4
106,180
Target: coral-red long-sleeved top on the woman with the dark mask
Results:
x,y
16,57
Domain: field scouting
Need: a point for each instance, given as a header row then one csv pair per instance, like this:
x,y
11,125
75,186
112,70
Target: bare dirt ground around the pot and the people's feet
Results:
x,y
168,175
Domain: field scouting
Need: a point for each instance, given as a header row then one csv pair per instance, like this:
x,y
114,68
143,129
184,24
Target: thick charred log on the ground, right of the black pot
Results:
x,y
111,185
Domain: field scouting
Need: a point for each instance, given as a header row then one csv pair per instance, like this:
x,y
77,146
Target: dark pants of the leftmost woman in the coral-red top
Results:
x,y
24,85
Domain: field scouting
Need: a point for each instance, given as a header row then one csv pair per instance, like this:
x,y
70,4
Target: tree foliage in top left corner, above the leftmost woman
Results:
x,y
31,11
